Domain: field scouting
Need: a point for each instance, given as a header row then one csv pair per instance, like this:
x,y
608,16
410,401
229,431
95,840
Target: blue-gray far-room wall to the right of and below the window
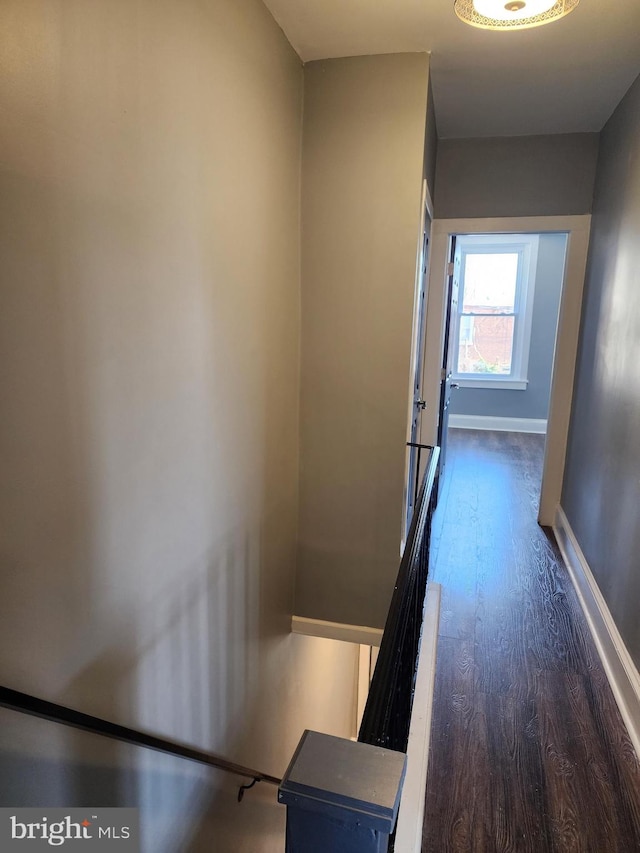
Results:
x,y
534,402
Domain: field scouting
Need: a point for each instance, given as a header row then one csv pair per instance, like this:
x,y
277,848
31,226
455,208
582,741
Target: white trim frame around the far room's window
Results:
x,y
526,245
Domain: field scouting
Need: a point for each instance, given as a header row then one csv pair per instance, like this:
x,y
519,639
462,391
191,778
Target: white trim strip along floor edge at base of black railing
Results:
x,y
411,813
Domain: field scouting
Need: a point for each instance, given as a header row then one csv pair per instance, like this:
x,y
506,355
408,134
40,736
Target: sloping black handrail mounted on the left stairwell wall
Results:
x,y
26,704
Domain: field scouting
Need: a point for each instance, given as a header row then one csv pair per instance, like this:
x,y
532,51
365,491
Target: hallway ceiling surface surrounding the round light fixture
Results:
x,y
560,78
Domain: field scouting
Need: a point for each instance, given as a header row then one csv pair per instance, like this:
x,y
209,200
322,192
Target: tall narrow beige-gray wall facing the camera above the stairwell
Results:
x,y
363,151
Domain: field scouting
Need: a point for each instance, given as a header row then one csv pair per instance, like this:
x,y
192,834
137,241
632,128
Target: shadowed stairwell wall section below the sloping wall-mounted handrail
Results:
x,y
183,806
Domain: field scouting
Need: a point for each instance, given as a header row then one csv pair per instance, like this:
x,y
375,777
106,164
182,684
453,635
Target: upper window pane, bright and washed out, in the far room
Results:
x,y
490,283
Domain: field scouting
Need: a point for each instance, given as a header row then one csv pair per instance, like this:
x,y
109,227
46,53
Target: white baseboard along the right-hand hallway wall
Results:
x,y
620,669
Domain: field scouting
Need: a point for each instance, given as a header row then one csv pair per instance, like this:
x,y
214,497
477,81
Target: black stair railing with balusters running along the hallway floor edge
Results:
x,y
387,713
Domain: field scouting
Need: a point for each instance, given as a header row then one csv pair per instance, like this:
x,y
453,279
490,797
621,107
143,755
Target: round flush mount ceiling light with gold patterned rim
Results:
x,y
512,14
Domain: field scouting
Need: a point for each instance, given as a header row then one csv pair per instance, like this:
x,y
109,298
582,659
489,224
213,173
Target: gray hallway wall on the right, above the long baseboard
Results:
x,y
601,495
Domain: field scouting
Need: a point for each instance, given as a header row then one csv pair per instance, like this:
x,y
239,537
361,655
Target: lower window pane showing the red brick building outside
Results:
x,y
485,345
